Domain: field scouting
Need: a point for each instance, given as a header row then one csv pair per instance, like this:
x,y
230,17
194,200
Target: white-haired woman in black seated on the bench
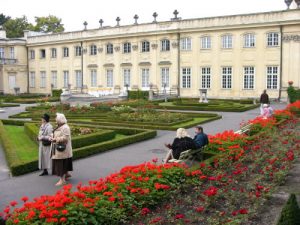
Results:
x,y
181,143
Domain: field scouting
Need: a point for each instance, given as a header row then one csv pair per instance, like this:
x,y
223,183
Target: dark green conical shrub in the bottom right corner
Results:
x,y
290,214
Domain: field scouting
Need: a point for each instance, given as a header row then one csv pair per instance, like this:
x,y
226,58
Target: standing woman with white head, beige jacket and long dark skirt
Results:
x,y
61,150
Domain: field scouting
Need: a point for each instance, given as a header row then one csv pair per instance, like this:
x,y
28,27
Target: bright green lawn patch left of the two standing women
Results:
x,y
25,148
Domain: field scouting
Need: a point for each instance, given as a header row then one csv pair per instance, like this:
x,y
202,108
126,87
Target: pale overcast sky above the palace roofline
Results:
x,y
74,13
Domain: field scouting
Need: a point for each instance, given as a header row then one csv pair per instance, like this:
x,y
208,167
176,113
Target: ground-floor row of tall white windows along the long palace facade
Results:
x,y
186,74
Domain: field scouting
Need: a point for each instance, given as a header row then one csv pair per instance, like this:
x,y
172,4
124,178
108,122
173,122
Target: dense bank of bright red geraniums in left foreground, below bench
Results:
x,y
105,201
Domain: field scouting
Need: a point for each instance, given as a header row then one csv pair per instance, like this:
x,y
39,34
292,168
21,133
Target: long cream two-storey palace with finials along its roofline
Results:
x,y
235,56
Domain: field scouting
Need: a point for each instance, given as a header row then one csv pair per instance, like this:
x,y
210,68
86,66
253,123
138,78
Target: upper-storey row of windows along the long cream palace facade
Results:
x,y
185,44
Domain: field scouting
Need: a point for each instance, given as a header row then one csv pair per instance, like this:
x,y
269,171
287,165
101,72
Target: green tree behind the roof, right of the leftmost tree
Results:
x,y
49,24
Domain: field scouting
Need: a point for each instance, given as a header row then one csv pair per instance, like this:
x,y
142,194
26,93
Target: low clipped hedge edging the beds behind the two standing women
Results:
x,y
19,168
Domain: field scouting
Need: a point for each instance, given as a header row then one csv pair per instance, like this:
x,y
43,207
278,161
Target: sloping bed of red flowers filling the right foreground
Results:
x,y
233,186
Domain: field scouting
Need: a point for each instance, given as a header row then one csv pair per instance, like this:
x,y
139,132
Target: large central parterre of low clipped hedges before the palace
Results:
x,y
117,114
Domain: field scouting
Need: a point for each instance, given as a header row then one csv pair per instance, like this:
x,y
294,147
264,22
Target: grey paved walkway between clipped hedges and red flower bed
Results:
x,y
94,167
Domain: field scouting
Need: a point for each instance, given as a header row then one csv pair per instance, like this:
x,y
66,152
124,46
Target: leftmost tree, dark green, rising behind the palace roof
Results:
x,y
15,27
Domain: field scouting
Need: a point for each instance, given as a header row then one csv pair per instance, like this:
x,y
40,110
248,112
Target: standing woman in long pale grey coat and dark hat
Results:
x,y
44,136
